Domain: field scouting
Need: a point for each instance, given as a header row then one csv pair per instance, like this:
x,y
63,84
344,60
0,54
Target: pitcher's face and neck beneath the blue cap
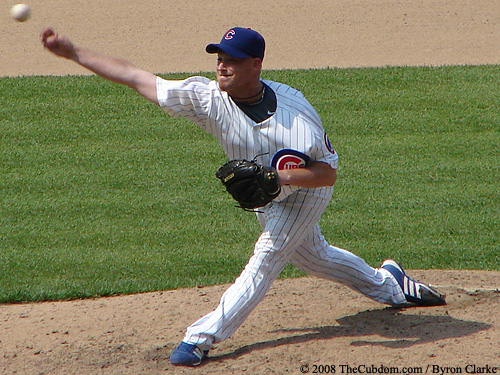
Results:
x,y
238,77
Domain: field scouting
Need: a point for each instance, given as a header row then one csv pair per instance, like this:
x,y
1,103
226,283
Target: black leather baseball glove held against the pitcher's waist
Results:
x,y
252,185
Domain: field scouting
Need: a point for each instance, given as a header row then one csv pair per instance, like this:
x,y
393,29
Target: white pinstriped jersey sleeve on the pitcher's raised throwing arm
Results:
x,y
190,98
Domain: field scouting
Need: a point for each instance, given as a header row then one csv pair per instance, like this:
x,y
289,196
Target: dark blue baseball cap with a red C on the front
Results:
x,y
241,43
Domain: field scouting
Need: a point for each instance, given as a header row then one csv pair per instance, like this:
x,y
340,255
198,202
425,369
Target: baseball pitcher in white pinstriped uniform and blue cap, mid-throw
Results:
x,y
274,123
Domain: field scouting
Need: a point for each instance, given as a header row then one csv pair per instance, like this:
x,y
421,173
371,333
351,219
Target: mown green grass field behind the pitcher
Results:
x,y
101,193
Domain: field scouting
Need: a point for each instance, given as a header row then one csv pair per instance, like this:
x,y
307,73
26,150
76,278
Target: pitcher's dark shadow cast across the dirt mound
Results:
x,y
388,327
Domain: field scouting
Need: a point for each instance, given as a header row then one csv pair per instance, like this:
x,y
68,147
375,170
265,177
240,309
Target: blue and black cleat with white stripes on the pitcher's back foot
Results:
x,y
415,292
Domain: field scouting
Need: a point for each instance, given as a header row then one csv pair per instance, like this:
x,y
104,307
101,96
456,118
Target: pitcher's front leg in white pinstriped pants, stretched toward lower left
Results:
x,y
286,225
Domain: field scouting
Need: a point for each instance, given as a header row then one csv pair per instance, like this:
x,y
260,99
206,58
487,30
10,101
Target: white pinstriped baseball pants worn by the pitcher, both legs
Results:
x,y
290,234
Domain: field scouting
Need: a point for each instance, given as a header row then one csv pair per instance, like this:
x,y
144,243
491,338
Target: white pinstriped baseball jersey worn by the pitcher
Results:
x,y
294,126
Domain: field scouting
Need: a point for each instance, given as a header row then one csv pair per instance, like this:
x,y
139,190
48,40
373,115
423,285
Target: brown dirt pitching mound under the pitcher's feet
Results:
x,y
302,323
